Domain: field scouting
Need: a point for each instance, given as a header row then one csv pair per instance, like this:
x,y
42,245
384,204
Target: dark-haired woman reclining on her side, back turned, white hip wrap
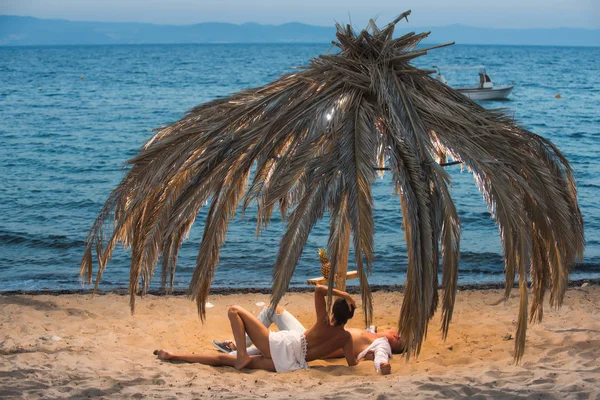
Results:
x,y
284,350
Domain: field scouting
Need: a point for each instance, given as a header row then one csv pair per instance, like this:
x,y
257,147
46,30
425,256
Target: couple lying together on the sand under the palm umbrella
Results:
x,y
292,346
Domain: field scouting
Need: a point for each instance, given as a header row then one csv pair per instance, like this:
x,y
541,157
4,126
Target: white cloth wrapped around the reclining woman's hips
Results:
x,y
288,350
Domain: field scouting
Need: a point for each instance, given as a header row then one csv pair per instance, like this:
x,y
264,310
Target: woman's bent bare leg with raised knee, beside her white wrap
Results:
x,y
243,322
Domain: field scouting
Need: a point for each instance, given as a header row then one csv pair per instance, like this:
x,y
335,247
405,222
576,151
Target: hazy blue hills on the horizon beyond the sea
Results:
x,y
30,31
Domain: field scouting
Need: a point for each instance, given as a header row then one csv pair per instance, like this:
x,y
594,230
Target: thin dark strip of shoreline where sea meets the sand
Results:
x,y
226,291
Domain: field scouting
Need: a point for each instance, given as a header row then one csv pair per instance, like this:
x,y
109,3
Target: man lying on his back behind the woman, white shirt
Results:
x,y
366,343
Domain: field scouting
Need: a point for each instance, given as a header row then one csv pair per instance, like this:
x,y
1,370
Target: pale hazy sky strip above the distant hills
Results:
x,y
480,13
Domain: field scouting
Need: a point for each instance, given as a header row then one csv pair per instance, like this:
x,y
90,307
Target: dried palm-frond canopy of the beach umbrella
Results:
x,y
314,138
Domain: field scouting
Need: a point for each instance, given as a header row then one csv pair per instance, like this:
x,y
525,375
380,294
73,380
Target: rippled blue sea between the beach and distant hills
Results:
x,y
71,116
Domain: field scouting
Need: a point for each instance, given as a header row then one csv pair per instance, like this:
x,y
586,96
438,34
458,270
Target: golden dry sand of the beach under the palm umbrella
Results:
x,y
79,346
